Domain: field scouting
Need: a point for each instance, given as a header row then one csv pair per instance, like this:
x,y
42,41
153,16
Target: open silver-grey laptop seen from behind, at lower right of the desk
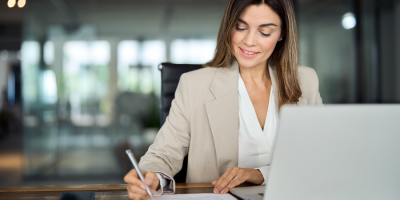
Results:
x,y
334,152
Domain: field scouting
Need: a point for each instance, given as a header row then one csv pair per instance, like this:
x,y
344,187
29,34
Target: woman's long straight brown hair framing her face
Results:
x,y
284,56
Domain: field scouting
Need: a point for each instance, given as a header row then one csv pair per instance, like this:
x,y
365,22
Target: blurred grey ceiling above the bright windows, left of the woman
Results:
x,y
130,18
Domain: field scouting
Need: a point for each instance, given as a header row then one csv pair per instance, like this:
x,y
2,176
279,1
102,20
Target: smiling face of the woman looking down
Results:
x,y
255,36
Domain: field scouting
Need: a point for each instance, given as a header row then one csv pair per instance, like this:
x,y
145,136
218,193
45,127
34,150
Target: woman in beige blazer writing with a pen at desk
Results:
x,y
225,116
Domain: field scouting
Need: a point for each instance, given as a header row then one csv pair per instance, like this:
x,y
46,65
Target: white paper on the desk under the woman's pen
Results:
x,y
208,196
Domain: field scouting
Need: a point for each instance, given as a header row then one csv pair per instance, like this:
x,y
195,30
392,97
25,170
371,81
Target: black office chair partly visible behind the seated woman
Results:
x,y
170,74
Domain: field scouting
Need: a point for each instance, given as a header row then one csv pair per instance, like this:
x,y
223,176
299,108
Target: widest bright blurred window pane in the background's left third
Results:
x,y
86,79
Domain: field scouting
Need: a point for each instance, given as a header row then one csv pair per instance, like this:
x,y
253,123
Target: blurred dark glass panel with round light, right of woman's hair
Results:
x,y
327,44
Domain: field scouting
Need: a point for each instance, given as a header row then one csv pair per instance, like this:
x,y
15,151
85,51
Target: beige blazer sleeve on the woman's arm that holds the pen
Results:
x,y
171,144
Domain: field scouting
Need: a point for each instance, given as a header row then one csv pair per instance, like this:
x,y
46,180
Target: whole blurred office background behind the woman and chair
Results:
x,y
79,81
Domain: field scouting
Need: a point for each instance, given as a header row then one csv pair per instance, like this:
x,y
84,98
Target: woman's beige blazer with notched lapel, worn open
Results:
x,y
204,122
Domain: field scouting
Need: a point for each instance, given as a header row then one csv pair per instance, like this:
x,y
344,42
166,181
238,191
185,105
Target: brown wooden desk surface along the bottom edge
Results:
x,y
103,192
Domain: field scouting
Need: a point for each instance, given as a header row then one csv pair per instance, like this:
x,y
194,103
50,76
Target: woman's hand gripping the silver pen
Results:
x,y
136,188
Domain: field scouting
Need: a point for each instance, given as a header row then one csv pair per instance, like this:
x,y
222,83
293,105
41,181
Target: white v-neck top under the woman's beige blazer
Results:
x,y
255,144
